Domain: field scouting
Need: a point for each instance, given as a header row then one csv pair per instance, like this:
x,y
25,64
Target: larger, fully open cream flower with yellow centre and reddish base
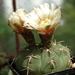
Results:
x,y
44,18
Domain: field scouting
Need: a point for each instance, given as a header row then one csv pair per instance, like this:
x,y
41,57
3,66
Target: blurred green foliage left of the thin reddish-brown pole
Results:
x,y
7,41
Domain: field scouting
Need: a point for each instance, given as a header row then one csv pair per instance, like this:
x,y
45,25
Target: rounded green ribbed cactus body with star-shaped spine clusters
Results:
x,y
40,60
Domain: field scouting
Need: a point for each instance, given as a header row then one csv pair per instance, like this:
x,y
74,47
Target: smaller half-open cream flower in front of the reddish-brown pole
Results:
x,y
16,20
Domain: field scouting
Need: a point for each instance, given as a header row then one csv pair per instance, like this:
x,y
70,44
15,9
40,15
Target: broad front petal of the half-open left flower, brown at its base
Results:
x,y
15,21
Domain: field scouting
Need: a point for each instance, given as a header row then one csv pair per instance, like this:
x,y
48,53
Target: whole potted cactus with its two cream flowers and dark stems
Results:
x,y
47,56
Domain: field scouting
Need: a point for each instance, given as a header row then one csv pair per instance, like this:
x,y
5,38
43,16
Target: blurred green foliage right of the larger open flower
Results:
x,y
66,31
